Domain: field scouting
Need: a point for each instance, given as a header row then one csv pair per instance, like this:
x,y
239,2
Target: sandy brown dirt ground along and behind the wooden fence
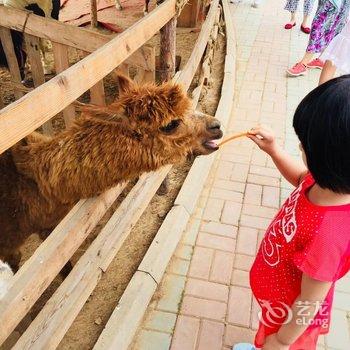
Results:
x,y
85,330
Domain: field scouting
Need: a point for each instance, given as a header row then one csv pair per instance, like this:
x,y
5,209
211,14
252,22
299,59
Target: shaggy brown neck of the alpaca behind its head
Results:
x,y
88,159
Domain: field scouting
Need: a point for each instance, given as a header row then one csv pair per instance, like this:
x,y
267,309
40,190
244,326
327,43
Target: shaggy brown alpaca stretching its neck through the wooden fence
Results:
x,y
41,178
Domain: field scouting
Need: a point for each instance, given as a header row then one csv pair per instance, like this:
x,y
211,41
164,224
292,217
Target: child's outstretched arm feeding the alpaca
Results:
x,y
291,169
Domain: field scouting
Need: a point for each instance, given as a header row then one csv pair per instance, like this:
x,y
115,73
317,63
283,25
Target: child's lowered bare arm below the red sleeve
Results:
x,y
313,293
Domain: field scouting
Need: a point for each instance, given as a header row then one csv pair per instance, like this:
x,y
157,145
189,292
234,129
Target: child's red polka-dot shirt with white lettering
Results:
x,y
302,238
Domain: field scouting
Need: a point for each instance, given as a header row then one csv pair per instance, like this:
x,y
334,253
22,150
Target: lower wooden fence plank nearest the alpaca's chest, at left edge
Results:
x,y
42,267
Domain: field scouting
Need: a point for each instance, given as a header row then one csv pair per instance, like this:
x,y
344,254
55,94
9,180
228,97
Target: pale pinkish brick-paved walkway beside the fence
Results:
x,y
204,301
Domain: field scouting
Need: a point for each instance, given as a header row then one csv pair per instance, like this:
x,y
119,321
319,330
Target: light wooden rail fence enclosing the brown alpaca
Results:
x,y
33,110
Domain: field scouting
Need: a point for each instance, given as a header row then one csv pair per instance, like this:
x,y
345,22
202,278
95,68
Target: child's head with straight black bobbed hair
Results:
x,y
322,123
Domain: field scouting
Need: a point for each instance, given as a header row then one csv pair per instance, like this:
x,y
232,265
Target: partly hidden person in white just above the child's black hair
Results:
x,y
337,55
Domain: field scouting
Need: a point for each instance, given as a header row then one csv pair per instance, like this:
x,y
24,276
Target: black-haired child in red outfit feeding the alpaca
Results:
x,y
306,248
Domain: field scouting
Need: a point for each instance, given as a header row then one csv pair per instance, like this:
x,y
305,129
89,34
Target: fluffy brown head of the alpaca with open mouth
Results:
x,y
163,113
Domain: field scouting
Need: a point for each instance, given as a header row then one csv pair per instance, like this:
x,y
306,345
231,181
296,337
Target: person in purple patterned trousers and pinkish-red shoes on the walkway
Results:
x,y
329,20
